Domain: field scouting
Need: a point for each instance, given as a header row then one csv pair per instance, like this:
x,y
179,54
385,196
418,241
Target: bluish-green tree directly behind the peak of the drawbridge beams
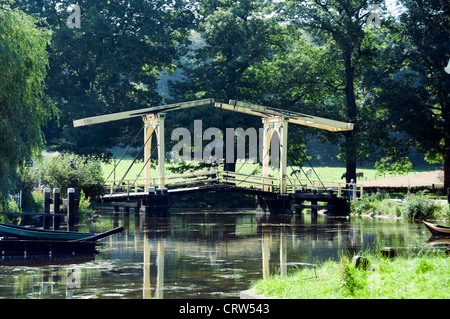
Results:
x,y
232,37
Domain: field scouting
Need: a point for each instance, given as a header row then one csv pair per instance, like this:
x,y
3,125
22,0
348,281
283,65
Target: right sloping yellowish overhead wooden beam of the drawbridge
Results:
x,y
294,117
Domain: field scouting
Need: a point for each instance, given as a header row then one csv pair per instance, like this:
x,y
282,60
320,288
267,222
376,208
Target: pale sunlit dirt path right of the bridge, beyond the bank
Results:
x,y
419,179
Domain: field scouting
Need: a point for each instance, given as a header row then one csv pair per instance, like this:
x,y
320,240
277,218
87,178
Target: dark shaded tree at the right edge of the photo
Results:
x,y
418,93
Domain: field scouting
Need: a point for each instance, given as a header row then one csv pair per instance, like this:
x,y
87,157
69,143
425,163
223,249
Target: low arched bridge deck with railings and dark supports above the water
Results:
x,y
267,194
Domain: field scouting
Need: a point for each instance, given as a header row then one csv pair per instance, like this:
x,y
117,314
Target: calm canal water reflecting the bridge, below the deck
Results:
x,y
193,255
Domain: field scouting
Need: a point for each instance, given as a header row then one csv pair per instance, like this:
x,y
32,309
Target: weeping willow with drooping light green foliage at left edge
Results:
x,y
24,107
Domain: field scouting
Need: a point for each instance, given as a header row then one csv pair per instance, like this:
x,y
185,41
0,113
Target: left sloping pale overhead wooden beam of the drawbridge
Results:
x,y
136,113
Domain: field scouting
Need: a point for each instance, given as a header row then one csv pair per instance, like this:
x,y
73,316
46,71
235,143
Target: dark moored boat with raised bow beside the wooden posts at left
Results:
x,y
38,242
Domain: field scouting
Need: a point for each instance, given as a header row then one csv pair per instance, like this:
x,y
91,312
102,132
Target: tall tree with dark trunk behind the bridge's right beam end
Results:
x,y
331,52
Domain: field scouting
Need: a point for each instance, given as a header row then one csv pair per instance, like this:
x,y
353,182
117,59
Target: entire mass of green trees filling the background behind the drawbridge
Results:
x,y
312,56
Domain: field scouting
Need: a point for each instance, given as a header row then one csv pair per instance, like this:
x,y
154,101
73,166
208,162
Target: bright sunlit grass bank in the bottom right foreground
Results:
x,y
408,277
